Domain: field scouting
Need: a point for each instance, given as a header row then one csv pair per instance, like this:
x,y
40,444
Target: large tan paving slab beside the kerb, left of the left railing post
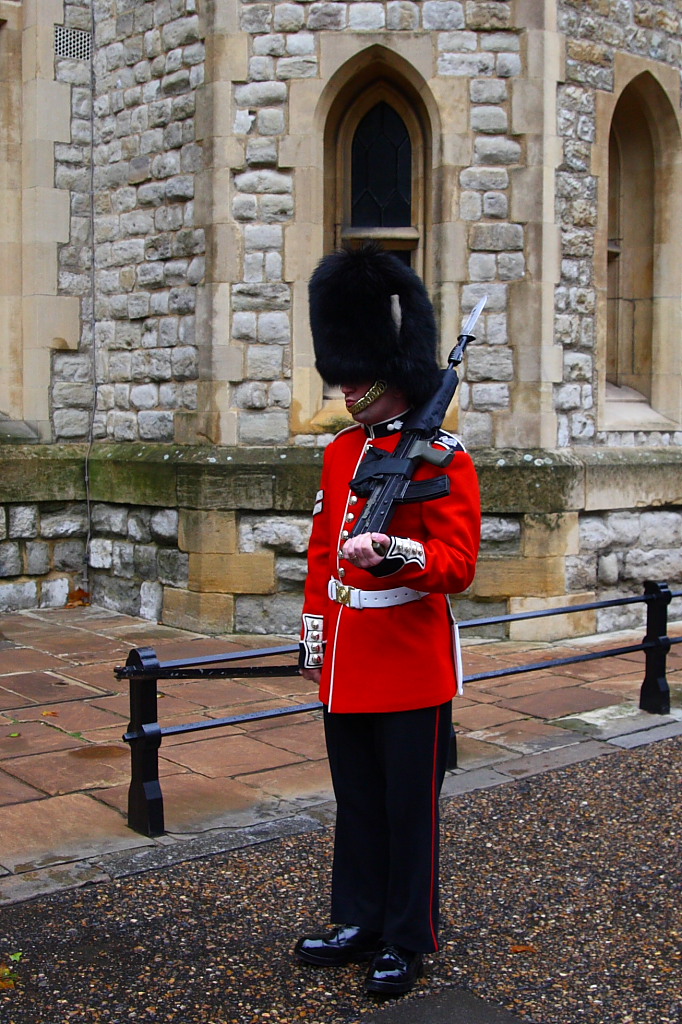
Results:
x,y
60,830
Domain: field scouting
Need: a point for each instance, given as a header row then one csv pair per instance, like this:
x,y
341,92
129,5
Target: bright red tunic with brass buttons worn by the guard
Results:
x,y
399,658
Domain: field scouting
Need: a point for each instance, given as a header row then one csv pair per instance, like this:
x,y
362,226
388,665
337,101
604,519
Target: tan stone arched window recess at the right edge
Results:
x,y
644,268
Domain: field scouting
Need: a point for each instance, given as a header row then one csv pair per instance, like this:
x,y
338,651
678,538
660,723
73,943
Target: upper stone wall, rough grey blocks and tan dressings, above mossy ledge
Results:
x,y
191,286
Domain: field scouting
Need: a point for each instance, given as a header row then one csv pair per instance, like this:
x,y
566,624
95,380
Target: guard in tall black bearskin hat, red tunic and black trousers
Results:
x,y
378,633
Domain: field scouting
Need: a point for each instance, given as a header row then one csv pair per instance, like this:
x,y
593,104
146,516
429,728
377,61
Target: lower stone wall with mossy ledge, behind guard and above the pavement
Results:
x,y
216,540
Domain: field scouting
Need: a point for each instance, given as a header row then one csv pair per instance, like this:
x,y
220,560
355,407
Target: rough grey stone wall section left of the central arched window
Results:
x,y
137,145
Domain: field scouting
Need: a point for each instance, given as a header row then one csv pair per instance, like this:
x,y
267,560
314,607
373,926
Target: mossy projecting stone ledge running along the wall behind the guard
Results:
x,y
266,480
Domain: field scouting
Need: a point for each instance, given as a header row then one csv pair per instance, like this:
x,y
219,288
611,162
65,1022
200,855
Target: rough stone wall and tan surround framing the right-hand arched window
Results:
x,y
596,37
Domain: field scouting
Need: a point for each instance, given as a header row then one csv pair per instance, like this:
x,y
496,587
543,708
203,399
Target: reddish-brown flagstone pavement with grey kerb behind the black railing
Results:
x,y
65,770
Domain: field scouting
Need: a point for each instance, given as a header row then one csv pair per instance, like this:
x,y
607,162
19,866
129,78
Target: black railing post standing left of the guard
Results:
x,y
146,802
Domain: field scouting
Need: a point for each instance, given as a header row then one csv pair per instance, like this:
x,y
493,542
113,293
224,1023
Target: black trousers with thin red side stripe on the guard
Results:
x,y
388,771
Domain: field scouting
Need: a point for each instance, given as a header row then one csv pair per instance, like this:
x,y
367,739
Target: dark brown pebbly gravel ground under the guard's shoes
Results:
x,y
562,903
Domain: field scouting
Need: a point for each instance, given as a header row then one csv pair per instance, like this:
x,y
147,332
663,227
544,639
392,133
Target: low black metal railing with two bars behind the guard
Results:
x,y
144,670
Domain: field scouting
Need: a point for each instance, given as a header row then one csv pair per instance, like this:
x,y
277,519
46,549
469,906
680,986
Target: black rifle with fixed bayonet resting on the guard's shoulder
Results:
x,y
386,479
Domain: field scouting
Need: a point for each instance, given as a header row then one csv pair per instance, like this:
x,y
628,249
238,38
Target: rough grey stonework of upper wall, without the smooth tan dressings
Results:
x,y
146,264
